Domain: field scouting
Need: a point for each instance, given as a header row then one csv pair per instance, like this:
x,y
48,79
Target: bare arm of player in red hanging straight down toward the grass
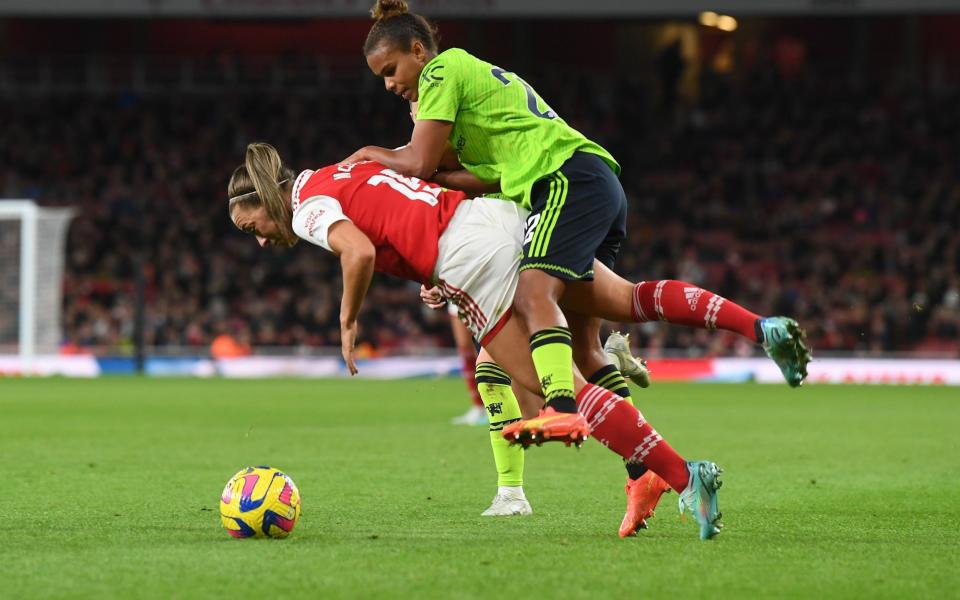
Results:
x,y
357,257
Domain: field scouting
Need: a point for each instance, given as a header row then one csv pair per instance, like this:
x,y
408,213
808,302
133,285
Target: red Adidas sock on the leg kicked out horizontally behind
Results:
x,y
686,304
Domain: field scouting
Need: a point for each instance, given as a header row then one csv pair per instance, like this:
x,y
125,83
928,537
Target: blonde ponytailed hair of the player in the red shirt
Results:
x,y
263,180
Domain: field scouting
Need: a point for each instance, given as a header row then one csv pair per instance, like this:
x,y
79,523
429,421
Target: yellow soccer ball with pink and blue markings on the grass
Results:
x,y
260,502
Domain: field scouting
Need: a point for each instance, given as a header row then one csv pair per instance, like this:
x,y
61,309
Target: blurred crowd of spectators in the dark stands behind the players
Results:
x,y
828,199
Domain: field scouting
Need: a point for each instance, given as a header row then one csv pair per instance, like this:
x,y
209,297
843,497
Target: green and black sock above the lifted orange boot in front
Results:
x,y
552,351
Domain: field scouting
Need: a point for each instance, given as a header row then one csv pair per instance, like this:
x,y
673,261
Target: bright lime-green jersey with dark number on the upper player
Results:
x,y
502,130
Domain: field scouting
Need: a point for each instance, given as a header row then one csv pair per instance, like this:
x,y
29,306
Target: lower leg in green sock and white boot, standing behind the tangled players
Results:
x,y
501,404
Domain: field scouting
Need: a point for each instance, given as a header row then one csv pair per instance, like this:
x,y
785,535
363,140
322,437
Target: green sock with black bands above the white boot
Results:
x,y
493,383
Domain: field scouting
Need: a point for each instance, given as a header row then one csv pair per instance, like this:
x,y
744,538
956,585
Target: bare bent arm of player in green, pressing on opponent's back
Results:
x,y
420,158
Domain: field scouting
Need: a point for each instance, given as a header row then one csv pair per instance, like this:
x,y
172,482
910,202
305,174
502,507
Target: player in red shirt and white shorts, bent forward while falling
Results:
x,y
374,218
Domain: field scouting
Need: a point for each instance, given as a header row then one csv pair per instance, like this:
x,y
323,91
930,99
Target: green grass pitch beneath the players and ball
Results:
x,y
110,488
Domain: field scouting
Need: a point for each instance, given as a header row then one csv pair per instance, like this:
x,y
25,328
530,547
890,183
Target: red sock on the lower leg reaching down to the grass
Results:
x,y
619,426
